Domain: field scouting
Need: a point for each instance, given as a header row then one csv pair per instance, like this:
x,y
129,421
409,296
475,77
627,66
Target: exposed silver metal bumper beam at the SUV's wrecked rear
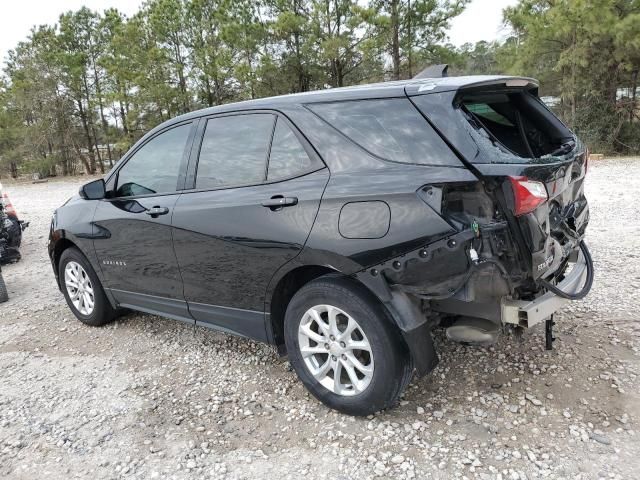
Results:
x,y
527,313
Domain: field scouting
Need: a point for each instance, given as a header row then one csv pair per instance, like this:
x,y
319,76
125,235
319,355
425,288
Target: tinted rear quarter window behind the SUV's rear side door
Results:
x,y
391,129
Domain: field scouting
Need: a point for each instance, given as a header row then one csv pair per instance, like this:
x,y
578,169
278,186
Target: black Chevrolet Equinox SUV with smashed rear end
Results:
x,y
341,226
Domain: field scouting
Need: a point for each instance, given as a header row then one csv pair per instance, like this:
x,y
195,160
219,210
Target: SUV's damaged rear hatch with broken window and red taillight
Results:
x,y
530,161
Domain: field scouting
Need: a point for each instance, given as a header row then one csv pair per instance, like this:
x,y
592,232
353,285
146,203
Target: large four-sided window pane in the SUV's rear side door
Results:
x,y
234,151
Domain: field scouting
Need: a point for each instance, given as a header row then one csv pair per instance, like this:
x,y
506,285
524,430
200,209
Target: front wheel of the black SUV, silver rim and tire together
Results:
x,y
82,289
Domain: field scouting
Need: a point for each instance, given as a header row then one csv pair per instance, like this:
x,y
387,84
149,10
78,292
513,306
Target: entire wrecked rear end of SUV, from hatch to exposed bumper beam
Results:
x,y
519,253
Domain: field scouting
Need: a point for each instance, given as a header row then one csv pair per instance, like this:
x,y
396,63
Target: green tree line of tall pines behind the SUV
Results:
x,y
75,95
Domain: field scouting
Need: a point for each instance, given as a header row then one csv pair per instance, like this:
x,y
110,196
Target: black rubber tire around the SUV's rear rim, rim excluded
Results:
x,y
392,365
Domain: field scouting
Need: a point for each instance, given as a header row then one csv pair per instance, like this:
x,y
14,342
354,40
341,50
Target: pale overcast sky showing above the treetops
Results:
x,y
480,21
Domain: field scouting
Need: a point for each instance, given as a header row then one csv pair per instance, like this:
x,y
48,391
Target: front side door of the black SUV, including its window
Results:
x,y
133,240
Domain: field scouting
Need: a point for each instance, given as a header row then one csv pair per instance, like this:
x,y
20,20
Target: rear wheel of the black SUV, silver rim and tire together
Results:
x,y
334,324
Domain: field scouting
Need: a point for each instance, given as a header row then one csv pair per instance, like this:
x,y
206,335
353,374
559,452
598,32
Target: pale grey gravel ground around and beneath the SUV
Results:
x,y
151,398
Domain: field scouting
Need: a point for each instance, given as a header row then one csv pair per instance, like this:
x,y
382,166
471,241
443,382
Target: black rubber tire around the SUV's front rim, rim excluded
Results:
x,y
103,312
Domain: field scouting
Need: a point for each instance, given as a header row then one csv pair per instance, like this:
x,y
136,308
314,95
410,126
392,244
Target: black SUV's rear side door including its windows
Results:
x,y
252,204
